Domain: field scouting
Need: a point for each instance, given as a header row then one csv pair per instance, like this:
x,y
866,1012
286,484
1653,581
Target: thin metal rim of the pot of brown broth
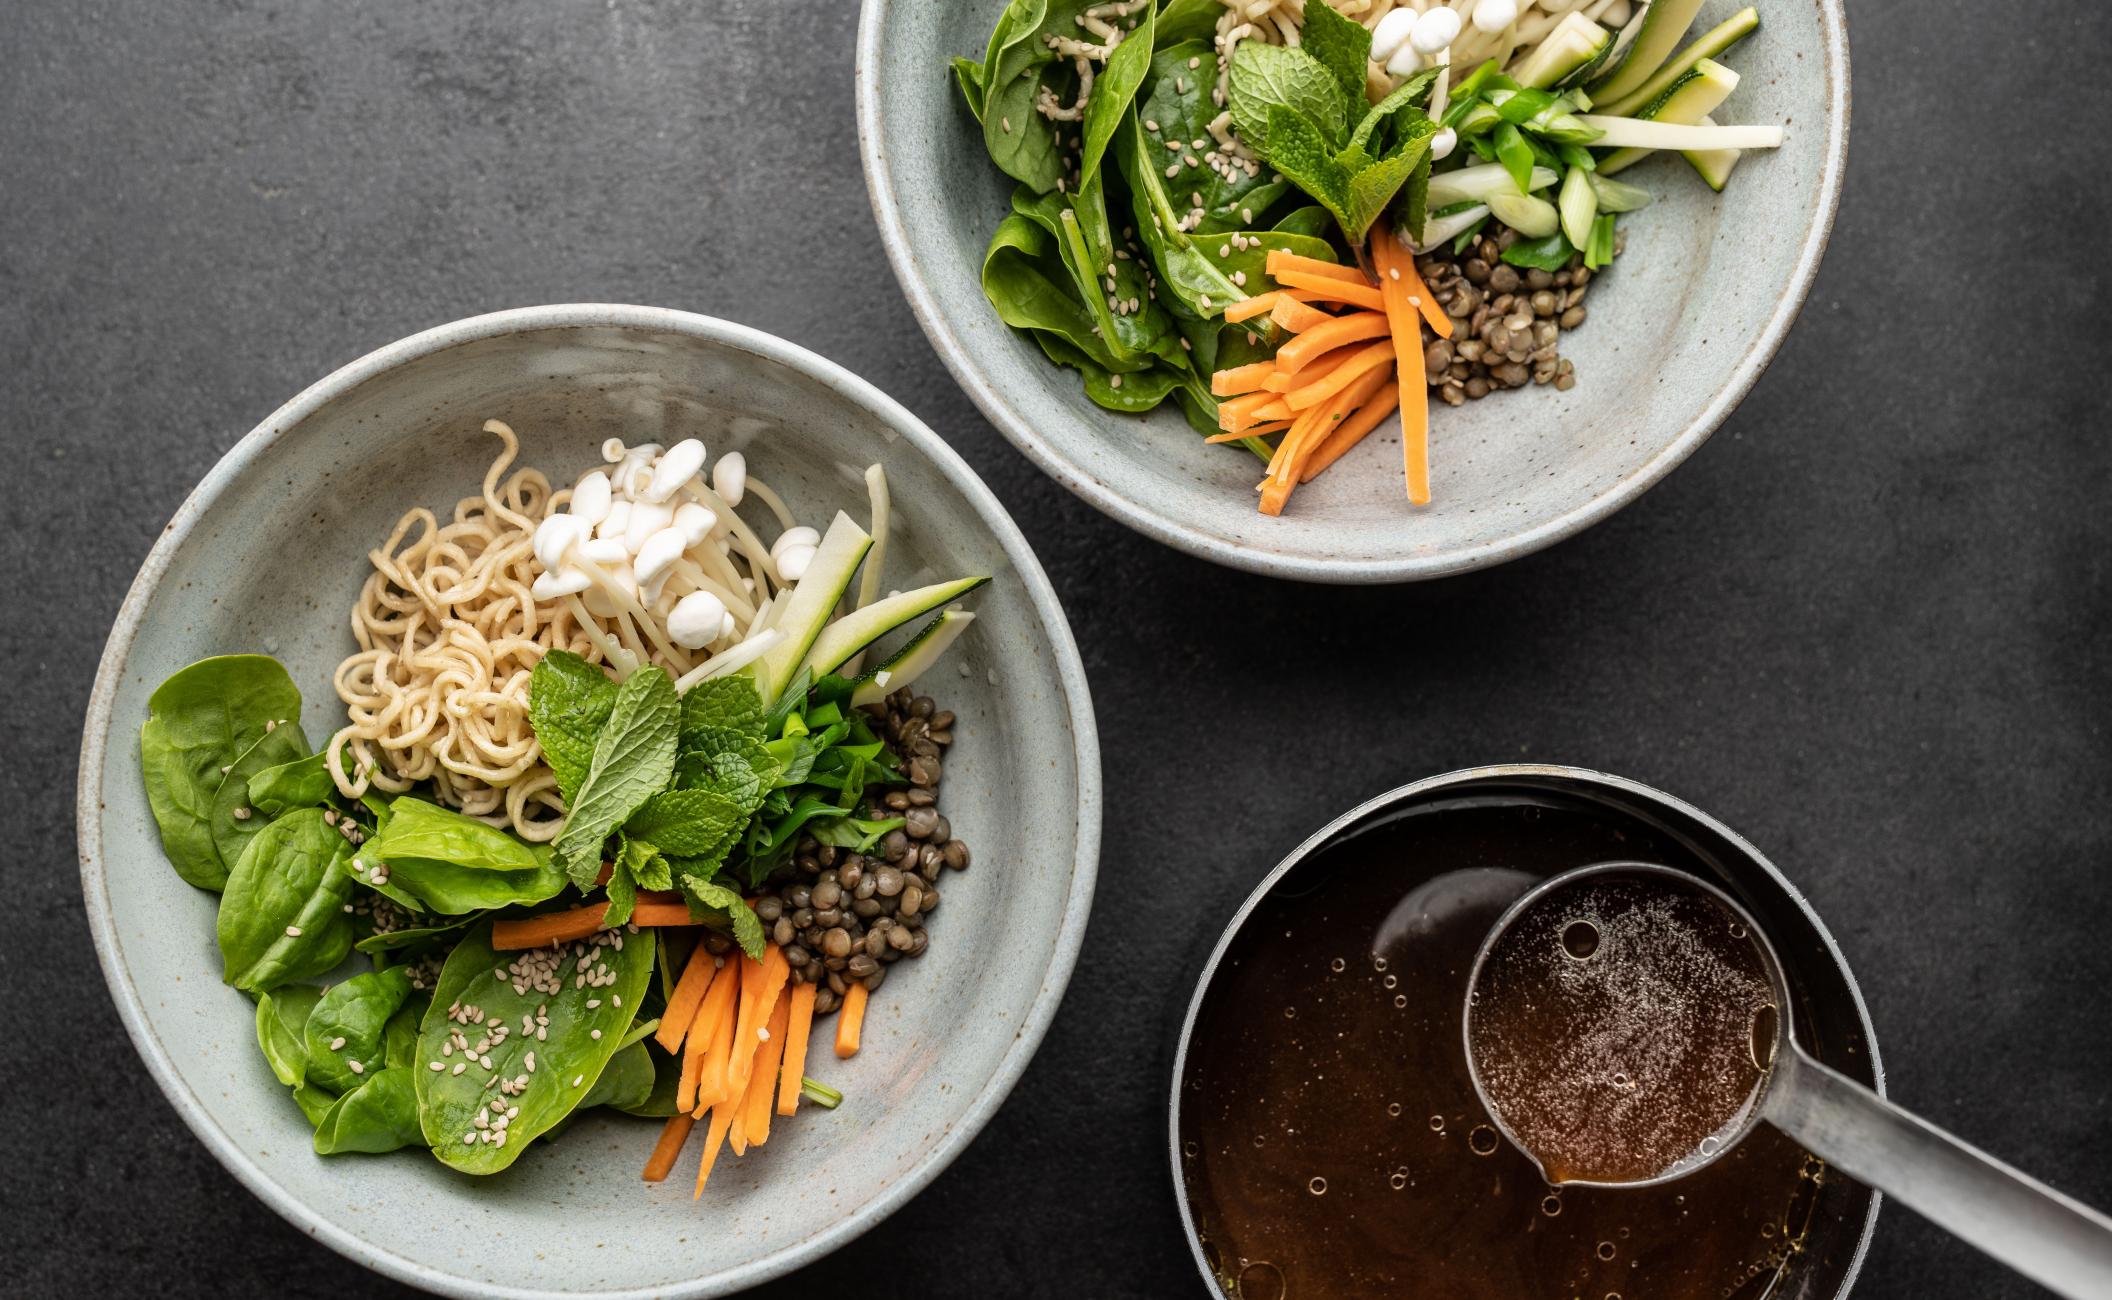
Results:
x,y
1467,778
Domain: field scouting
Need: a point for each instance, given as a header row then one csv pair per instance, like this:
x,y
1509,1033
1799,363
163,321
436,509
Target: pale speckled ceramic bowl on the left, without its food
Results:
x,y
267,556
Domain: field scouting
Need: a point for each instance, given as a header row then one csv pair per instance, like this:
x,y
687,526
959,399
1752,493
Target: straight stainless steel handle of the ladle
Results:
x,y
2022,1223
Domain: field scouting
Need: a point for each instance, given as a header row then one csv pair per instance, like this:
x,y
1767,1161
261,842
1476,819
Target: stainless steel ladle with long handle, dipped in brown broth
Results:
x,y
2022,1223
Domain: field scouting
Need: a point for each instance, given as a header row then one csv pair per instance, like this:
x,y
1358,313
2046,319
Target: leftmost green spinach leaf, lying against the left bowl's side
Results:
x,y
200,723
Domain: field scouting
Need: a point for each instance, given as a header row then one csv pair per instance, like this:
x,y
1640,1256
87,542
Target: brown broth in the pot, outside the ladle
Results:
x,y
1332,1139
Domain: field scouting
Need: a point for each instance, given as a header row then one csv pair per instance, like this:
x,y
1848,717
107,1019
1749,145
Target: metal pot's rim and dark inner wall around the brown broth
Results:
x,y
1826,1001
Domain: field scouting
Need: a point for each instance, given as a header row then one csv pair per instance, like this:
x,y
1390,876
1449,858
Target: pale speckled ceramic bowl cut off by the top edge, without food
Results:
x,y
1678,332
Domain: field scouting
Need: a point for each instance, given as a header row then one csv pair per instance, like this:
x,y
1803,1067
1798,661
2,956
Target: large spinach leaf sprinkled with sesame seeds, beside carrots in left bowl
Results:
x,y
569,1054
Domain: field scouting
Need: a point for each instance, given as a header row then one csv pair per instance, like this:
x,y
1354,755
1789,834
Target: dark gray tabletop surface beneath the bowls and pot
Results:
x,y
1866,626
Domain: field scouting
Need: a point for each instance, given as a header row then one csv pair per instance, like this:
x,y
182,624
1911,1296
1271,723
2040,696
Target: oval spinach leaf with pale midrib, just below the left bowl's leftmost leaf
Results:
x,y
284,915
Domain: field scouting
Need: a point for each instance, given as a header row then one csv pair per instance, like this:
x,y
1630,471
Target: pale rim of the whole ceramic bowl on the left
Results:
x,y
238,461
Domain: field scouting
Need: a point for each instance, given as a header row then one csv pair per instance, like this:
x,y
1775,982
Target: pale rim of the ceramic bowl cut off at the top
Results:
x,y
1161,527
